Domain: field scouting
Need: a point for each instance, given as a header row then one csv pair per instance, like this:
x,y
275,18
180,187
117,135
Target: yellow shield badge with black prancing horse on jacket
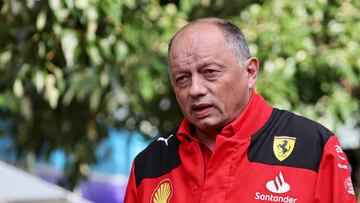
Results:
x,y
283,146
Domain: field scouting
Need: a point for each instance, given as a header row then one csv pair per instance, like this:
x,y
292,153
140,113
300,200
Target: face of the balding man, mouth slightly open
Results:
x,y
211,87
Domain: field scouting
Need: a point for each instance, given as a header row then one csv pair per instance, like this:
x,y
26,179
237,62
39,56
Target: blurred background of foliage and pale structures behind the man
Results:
x,y
84,84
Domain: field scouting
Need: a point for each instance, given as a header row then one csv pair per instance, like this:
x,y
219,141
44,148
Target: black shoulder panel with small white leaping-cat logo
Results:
x,y
160,157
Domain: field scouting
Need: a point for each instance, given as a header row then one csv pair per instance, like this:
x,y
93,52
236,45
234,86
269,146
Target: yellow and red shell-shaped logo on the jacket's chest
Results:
x,y
162,193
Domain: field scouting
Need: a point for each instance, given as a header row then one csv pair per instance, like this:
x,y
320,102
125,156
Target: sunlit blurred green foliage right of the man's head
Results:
x,y
308,52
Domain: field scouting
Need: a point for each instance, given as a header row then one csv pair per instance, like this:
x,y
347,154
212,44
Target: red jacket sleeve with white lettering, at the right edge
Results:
x,y
334,182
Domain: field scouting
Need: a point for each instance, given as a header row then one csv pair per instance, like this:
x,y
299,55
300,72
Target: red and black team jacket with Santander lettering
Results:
x,y
265,155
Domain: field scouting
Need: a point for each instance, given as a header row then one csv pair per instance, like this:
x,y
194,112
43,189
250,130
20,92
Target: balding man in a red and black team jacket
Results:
x,y
232,146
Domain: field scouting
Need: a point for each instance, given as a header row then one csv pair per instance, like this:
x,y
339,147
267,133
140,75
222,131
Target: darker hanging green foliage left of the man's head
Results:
x,y
72,68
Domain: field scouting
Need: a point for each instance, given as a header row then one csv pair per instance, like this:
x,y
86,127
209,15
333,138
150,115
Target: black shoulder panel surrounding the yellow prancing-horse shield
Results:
x,y
310,140
